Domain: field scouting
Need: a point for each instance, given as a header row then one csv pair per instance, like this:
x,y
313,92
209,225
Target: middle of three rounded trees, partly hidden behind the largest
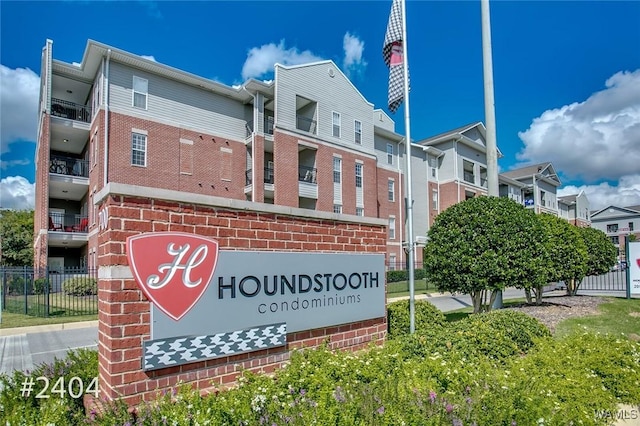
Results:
x,y
565,256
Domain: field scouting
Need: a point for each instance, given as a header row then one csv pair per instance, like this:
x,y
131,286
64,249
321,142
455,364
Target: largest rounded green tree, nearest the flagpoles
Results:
x,y
482,245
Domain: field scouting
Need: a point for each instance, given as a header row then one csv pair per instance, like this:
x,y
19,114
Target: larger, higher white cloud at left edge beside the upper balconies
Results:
x,y
19,92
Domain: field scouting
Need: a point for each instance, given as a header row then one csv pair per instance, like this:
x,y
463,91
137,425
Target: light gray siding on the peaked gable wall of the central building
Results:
x,y
331,94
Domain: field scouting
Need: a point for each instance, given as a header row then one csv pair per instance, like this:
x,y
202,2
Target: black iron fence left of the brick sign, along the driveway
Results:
x,y
49,292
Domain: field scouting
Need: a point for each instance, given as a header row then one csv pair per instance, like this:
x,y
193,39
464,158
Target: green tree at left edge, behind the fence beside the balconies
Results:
x,y
16,231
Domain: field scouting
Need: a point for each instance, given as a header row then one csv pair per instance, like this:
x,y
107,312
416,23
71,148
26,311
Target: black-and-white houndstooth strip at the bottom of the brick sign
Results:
x,y
161,353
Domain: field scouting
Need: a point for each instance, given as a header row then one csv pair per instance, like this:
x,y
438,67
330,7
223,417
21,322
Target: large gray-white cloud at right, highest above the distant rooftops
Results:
x,y
596,139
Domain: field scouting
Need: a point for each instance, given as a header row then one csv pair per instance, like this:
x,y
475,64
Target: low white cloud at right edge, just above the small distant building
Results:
x,y
626,193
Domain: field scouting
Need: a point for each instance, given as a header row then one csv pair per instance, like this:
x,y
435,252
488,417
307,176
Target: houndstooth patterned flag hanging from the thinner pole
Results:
x,y
393,54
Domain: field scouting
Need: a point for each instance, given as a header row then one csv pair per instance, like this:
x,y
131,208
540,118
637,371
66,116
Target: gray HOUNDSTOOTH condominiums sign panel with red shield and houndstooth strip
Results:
x,y
208,303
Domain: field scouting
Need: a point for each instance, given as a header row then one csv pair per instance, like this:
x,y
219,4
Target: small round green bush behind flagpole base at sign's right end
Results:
x,y
426,316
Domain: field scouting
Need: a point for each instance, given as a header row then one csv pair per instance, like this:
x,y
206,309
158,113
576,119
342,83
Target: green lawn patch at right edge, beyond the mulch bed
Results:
x,y
616,316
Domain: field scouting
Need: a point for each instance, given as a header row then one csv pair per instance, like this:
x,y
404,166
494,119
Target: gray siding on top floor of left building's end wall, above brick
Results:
x,y
178,104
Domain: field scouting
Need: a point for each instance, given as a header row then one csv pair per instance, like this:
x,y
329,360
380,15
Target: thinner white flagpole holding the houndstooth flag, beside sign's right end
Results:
x,y
409,198
